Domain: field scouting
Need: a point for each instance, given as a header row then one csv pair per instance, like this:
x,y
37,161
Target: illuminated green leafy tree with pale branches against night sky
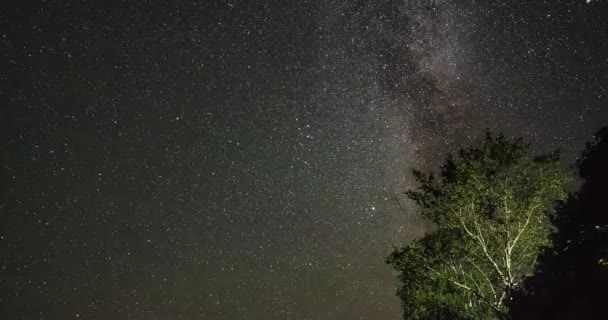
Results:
x,y
491,209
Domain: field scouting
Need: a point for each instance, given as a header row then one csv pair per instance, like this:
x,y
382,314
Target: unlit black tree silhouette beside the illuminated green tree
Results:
x,y
571,281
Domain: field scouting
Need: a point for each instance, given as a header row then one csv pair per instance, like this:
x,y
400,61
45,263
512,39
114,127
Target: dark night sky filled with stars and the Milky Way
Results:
x,y
246,159
